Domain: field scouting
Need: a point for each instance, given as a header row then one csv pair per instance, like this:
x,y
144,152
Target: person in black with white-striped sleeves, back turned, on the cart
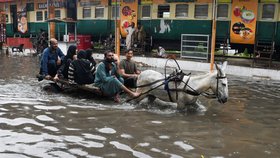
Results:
x,y
81,71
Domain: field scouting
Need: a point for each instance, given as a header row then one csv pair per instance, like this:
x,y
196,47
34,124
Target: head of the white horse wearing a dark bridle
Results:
x,y
221,85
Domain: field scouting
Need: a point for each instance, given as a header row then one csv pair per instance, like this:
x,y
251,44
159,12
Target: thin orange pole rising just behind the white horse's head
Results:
x,y
213,39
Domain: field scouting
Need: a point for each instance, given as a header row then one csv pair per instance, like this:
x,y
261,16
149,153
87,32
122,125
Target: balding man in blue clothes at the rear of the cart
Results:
x,y
51,60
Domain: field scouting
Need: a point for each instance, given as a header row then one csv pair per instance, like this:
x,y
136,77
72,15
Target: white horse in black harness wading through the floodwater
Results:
x,y
184,93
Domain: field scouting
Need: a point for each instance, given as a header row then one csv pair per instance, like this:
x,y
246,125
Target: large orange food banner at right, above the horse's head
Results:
x,y
243,21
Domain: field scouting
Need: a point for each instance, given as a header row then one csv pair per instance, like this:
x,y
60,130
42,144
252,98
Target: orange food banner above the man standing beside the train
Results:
x,y
129,9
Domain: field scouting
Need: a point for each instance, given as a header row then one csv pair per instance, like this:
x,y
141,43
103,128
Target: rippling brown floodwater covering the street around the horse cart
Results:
x,y
39,123
